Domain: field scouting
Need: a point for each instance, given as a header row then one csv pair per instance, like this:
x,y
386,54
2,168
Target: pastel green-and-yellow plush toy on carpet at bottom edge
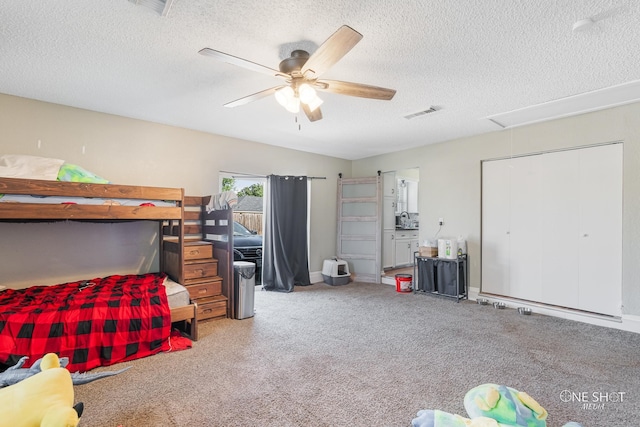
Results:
x,y
490,405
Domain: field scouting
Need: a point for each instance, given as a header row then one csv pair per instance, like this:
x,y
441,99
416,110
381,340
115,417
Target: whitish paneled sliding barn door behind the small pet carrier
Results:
x,y
360,226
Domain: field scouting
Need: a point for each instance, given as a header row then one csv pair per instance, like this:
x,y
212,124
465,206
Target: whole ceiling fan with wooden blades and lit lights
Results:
x,y
301,74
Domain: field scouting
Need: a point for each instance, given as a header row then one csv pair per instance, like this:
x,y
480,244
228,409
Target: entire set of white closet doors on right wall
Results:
x,y
552,228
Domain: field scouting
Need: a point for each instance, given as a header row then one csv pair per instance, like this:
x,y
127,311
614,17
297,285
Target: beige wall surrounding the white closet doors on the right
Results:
x,y
450,179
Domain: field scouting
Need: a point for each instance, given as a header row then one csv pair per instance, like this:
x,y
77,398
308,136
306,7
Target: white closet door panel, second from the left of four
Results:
x,y
526,244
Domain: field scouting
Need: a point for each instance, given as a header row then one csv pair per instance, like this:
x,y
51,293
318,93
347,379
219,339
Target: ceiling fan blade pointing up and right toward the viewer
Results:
x,y
331,51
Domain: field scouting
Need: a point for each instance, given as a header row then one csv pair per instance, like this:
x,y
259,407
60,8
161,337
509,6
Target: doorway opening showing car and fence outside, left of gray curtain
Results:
x,y
248,216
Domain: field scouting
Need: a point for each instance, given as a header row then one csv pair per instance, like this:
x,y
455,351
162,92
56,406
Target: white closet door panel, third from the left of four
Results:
x,y
559,281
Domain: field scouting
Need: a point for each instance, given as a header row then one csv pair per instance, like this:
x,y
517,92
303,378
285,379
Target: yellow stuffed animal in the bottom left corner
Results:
x,y
43,400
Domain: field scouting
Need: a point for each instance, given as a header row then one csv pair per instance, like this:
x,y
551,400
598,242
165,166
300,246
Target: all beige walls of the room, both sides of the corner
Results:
x,y
135,152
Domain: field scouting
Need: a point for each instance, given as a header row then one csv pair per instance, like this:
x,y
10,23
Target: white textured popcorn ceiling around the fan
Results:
x,y
470,59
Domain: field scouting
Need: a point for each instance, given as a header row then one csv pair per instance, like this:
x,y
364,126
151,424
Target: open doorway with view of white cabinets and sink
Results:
x,y
401,222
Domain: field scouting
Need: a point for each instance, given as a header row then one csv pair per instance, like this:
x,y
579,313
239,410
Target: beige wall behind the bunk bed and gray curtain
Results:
x,y
135,152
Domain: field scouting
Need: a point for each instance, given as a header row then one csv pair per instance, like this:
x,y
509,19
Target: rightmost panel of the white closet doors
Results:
x,y
600,246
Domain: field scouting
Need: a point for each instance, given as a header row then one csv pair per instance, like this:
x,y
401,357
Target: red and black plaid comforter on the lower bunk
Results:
x,y
94,322
